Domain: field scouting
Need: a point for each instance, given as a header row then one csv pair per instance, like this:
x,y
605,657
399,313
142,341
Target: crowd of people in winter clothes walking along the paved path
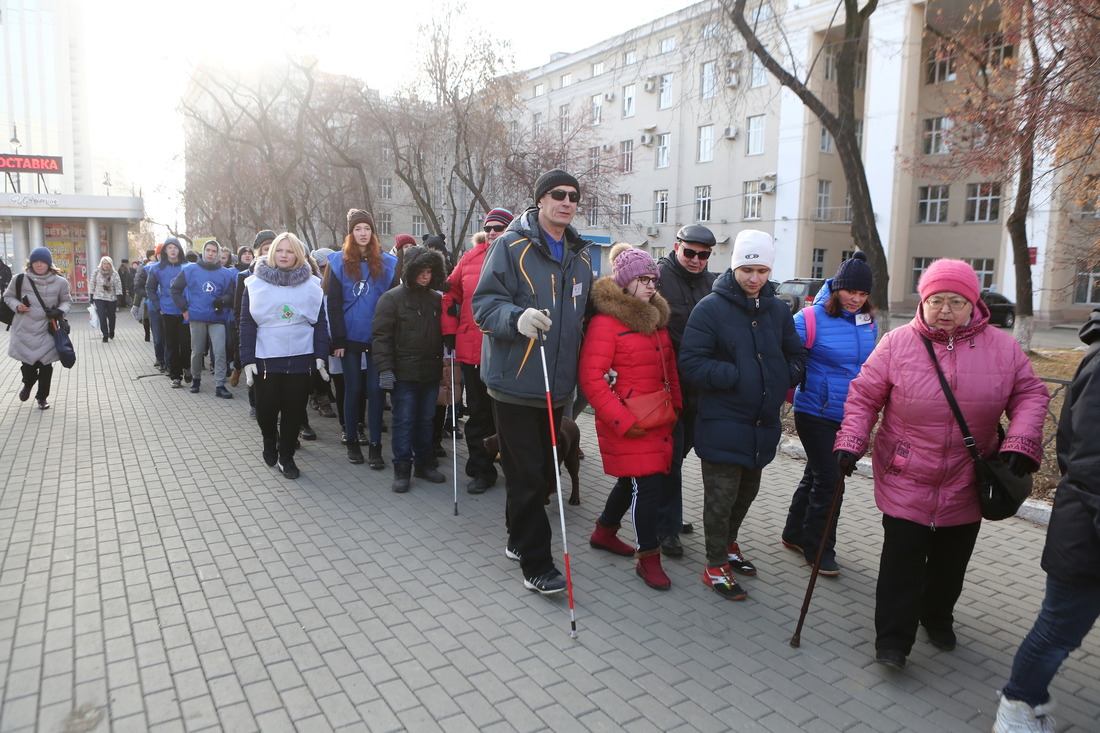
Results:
x,y
672,357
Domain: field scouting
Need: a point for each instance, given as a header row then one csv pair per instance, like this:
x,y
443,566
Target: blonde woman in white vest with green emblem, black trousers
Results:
x,y
284,341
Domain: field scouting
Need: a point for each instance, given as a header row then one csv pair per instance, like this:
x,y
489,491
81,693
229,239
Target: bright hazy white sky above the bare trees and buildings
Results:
x,y
141,52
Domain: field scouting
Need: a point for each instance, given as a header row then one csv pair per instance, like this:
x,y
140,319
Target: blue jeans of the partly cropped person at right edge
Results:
x,y
1069,612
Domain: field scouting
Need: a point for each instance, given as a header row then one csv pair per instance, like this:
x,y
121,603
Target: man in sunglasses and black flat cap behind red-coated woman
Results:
x,y
685,282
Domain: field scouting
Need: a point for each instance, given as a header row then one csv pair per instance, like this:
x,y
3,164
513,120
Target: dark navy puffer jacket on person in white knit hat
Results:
x,y
744,355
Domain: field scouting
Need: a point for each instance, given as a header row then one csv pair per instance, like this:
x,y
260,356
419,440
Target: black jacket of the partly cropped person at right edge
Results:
x,y
1073,540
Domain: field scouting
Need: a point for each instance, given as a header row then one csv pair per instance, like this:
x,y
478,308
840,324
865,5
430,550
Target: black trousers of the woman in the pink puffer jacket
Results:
x,y
920,579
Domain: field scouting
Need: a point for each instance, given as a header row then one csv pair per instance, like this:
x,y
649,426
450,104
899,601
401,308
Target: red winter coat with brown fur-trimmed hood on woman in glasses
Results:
x,y
629,336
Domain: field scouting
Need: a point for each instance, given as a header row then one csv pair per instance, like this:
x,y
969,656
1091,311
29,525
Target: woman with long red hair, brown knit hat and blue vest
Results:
x,y
357,278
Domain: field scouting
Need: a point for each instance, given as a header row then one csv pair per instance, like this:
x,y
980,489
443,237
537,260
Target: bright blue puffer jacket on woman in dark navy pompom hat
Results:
x,y
841,347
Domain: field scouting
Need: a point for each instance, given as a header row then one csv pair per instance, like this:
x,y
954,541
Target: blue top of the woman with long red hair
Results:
x,y
351,304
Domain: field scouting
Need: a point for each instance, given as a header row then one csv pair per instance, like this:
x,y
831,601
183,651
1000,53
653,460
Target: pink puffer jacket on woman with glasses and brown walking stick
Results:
x,y
923,472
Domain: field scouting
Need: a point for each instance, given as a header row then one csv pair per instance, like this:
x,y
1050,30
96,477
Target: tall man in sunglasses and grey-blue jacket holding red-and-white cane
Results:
x,y
535,285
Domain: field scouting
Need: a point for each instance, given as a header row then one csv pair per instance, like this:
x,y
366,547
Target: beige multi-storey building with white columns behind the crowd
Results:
x,y
698,133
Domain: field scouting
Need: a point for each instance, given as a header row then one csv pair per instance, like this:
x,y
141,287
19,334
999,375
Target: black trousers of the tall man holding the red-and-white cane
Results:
x,y
527,460
